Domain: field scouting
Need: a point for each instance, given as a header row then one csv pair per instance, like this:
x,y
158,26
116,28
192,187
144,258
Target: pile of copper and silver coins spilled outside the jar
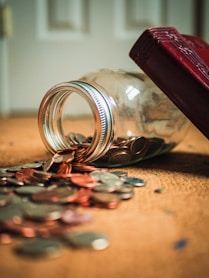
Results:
x,y
42,201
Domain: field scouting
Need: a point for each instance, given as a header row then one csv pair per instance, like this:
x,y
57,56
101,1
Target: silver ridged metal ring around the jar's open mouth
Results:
x,y
50,118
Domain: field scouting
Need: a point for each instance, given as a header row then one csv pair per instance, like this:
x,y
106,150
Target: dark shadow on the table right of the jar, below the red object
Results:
x,y
191,163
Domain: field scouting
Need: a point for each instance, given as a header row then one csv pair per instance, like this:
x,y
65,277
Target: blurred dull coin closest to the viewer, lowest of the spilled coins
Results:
x,y
40,247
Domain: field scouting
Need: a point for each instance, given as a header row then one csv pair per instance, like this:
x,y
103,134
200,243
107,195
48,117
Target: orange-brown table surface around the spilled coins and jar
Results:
x,y
151,235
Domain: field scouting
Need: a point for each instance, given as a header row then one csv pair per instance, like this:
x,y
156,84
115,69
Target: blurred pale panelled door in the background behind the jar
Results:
x,y
45,42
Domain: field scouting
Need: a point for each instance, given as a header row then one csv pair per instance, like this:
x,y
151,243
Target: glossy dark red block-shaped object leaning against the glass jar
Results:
x,y
179,65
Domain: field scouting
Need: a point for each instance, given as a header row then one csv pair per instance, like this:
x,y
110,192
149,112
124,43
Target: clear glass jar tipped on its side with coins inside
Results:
x,y
132,119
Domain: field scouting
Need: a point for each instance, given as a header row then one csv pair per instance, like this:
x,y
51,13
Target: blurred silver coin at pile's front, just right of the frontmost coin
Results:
x,y
87,239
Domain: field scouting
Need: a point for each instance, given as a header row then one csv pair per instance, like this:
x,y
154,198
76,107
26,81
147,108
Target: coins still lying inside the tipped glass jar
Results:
x,y
123,151
